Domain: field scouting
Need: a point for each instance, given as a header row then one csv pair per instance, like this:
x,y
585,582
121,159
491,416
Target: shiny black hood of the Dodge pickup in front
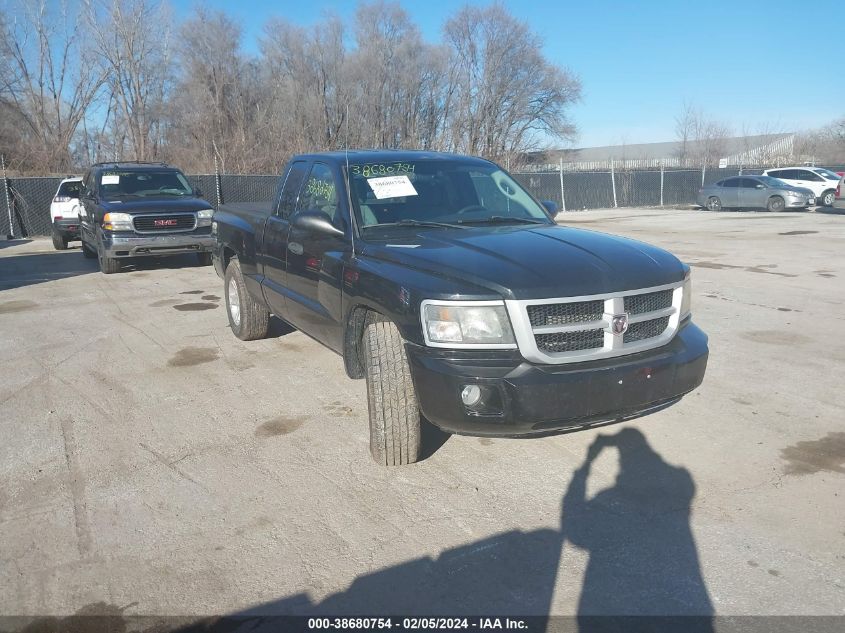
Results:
x,y
531,262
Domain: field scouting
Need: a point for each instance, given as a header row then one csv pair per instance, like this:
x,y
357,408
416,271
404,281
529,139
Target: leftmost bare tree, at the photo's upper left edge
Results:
x,y
47,81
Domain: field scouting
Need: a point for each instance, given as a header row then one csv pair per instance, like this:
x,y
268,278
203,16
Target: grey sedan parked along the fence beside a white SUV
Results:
x,y
754,192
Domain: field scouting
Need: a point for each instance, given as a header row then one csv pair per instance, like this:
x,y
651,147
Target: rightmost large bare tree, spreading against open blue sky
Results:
x,y
506,97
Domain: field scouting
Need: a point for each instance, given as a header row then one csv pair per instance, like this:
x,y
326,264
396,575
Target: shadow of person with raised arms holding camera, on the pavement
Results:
x,y
642,555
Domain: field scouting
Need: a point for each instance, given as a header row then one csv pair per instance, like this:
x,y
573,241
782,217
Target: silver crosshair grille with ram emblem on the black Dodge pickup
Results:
x,y
653,319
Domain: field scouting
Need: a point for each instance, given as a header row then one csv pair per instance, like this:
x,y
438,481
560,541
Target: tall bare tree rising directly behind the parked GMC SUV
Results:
x,y
132,40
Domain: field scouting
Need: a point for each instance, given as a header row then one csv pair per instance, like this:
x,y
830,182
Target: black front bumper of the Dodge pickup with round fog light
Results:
x,y
541,399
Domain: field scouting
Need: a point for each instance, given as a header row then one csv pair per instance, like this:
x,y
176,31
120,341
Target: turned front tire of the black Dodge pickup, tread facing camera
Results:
x,y
395,419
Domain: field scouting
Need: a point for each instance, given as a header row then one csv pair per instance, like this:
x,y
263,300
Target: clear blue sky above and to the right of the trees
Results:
x,y
752,65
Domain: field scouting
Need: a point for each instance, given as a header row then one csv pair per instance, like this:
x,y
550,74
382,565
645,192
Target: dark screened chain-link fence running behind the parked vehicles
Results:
x,y
29,199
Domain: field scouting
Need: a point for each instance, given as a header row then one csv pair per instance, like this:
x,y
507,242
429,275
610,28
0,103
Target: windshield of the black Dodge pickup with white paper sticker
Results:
x,y
446,192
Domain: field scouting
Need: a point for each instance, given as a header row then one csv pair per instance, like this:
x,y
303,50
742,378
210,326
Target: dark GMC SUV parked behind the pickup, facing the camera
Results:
x,y
135,209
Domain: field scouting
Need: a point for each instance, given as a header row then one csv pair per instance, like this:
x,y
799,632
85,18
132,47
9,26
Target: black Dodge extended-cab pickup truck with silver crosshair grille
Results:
x,y
440,280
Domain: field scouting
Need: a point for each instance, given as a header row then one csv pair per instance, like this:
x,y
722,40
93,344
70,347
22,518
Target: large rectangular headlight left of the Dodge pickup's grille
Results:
x,y
467,324
